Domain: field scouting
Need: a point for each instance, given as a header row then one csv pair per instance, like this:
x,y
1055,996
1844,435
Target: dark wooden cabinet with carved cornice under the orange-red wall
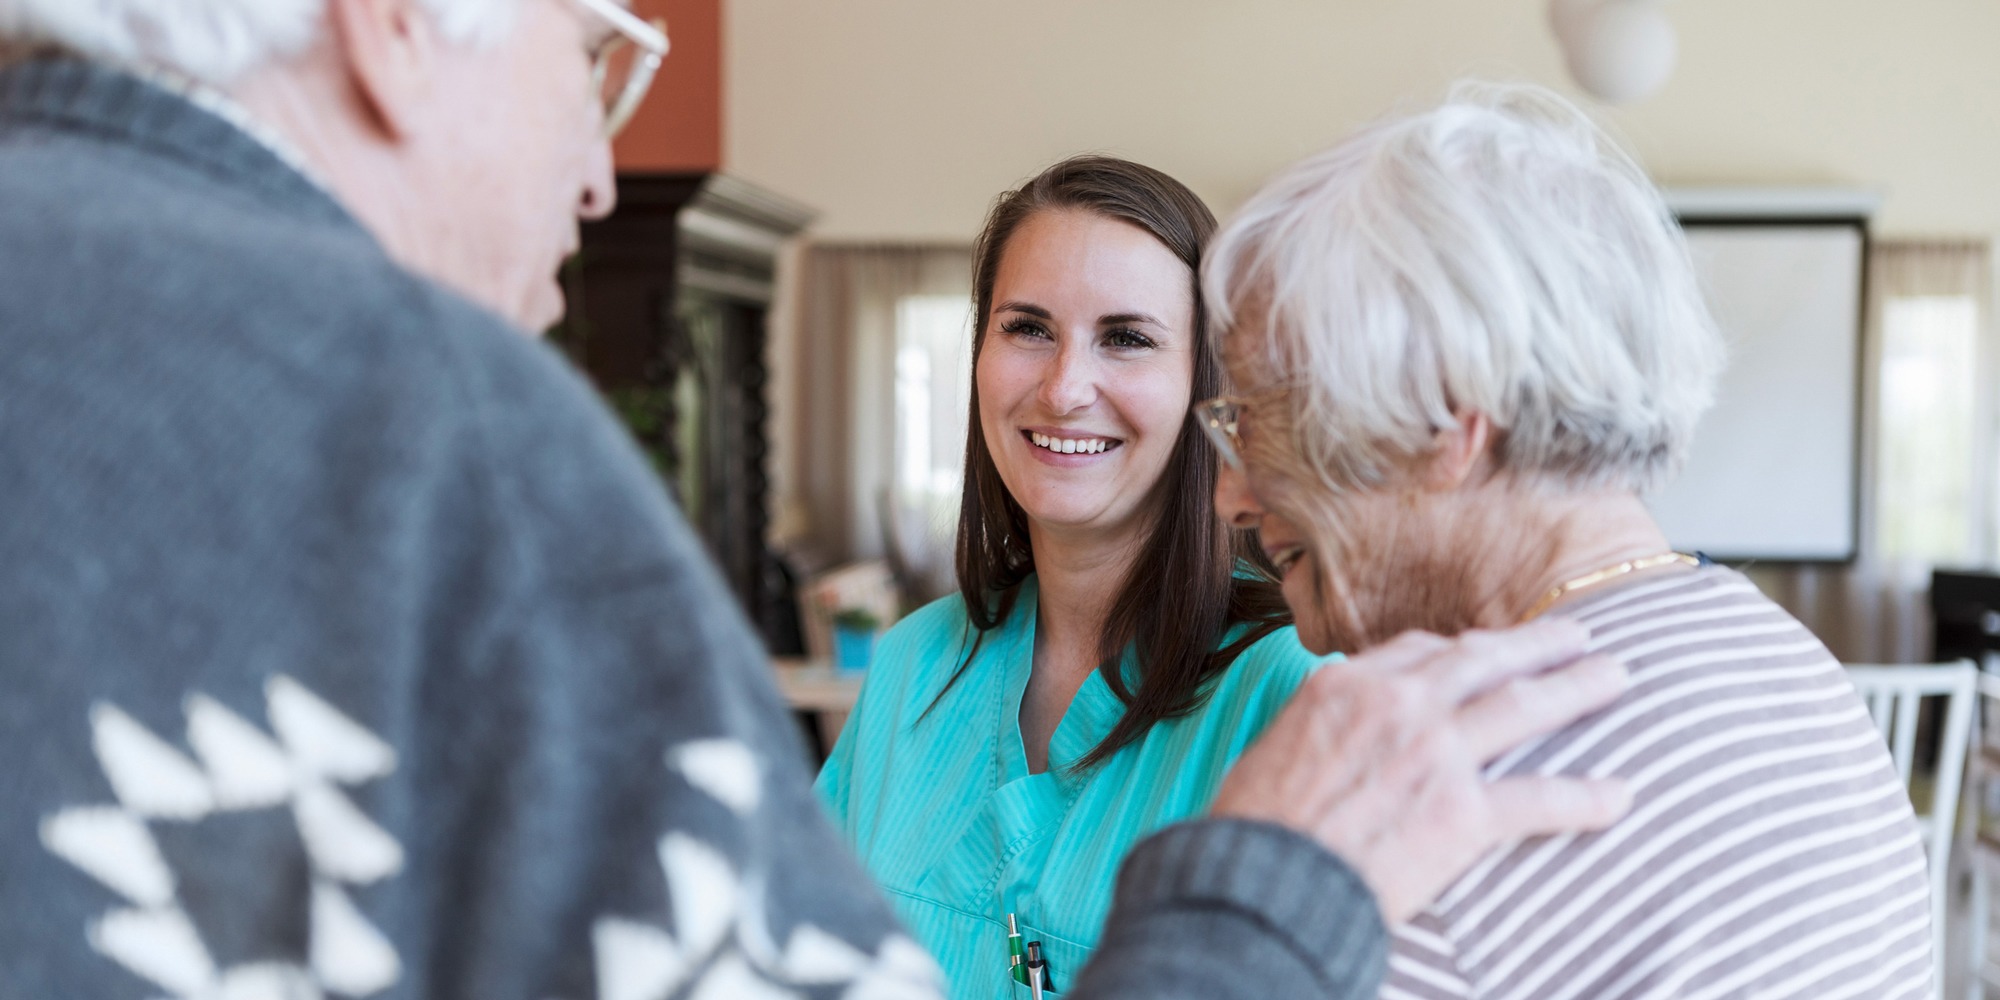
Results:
x,y
669,305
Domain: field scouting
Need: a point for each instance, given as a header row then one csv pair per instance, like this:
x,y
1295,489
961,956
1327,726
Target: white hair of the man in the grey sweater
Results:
x,y
211,41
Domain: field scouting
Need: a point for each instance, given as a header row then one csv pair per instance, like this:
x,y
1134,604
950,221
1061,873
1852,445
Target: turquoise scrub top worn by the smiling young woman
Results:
x,y
955,829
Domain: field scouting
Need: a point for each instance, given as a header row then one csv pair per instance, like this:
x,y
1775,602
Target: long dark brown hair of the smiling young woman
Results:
x,y
1185,591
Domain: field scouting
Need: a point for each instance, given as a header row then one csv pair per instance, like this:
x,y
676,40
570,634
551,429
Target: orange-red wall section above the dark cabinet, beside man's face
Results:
x,y
681,123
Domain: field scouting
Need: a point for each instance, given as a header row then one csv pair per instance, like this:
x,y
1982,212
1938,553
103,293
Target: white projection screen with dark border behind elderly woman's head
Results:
x,y
1775,467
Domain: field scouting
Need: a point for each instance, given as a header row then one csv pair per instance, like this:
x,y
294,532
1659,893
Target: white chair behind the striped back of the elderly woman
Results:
x,y
1895,693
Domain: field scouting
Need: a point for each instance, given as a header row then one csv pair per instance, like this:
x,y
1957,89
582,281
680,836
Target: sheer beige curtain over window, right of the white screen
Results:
x,y
1877,609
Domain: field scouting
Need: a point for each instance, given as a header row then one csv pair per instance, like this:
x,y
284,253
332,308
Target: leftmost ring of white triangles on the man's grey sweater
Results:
x,y
235,769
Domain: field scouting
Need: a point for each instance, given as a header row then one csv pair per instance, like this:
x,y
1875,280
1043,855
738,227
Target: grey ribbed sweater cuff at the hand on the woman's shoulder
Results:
x,y
1231,909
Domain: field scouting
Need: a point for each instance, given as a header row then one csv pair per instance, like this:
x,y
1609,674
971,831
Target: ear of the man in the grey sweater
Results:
x,y
389,53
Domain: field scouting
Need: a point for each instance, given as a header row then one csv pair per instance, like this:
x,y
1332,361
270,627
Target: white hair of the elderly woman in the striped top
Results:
x,y
1499,255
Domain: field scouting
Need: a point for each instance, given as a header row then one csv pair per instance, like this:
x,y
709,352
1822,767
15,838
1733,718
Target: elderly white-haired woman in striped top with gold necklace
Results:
x,y
1465,345
